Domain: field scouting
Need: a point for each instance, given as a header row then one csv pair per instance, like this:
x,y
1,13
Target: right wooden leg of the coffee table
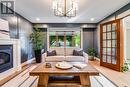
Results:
x,y
85,80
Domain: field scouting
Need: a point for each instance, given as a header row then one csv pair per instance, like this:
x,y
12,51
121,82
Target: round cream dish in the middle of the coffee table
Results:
x,y
63,65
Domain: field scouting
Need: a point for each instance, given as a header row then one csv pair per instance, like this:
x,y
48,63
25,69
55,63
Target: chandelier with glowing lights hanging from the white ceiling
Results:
x,y
65,8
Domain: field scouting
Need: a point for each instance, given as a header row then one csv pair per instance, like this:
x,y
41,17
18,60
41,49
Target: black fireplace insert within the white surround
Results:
x,y
6,57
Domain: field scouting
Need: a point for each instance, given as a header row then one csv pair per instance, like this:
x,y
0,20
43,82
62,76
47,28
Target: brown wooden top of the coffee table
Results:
x,y
41,69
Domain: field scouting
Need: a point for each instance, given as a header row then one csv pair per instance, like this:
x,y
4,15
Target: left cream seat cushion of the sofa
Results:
x,y
54,58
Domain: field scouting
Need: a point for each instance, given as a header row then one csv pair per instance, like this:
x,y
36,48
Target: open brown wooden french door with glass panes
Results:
x,y
111,45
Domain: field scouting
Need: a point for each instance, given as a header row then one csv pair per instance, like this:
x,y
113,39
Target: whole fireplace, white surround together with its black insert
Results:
x,y
12,49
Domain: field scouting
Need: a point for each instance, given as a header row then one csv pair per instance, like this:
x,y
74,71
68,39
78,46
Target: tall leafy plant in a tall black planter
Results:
x,y
37,39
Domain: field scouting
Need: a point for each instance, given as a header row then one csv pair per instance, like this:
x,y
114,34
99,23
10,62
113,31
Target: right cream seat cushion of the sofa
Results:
x,y
74,58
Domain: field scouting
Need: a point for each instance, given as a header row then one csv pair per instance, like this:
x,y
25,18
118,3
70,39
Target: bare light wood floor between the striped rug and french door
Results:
x,y
121,79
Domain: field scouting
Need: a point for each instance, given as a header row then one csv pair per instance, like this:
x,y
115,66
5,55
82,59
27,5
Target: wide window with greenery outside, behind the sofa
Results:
x,y
61,39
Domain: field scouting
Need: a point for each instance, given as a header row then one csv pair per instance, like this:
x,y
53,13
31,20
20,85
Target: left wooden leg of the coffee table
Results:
x,y
43,81
